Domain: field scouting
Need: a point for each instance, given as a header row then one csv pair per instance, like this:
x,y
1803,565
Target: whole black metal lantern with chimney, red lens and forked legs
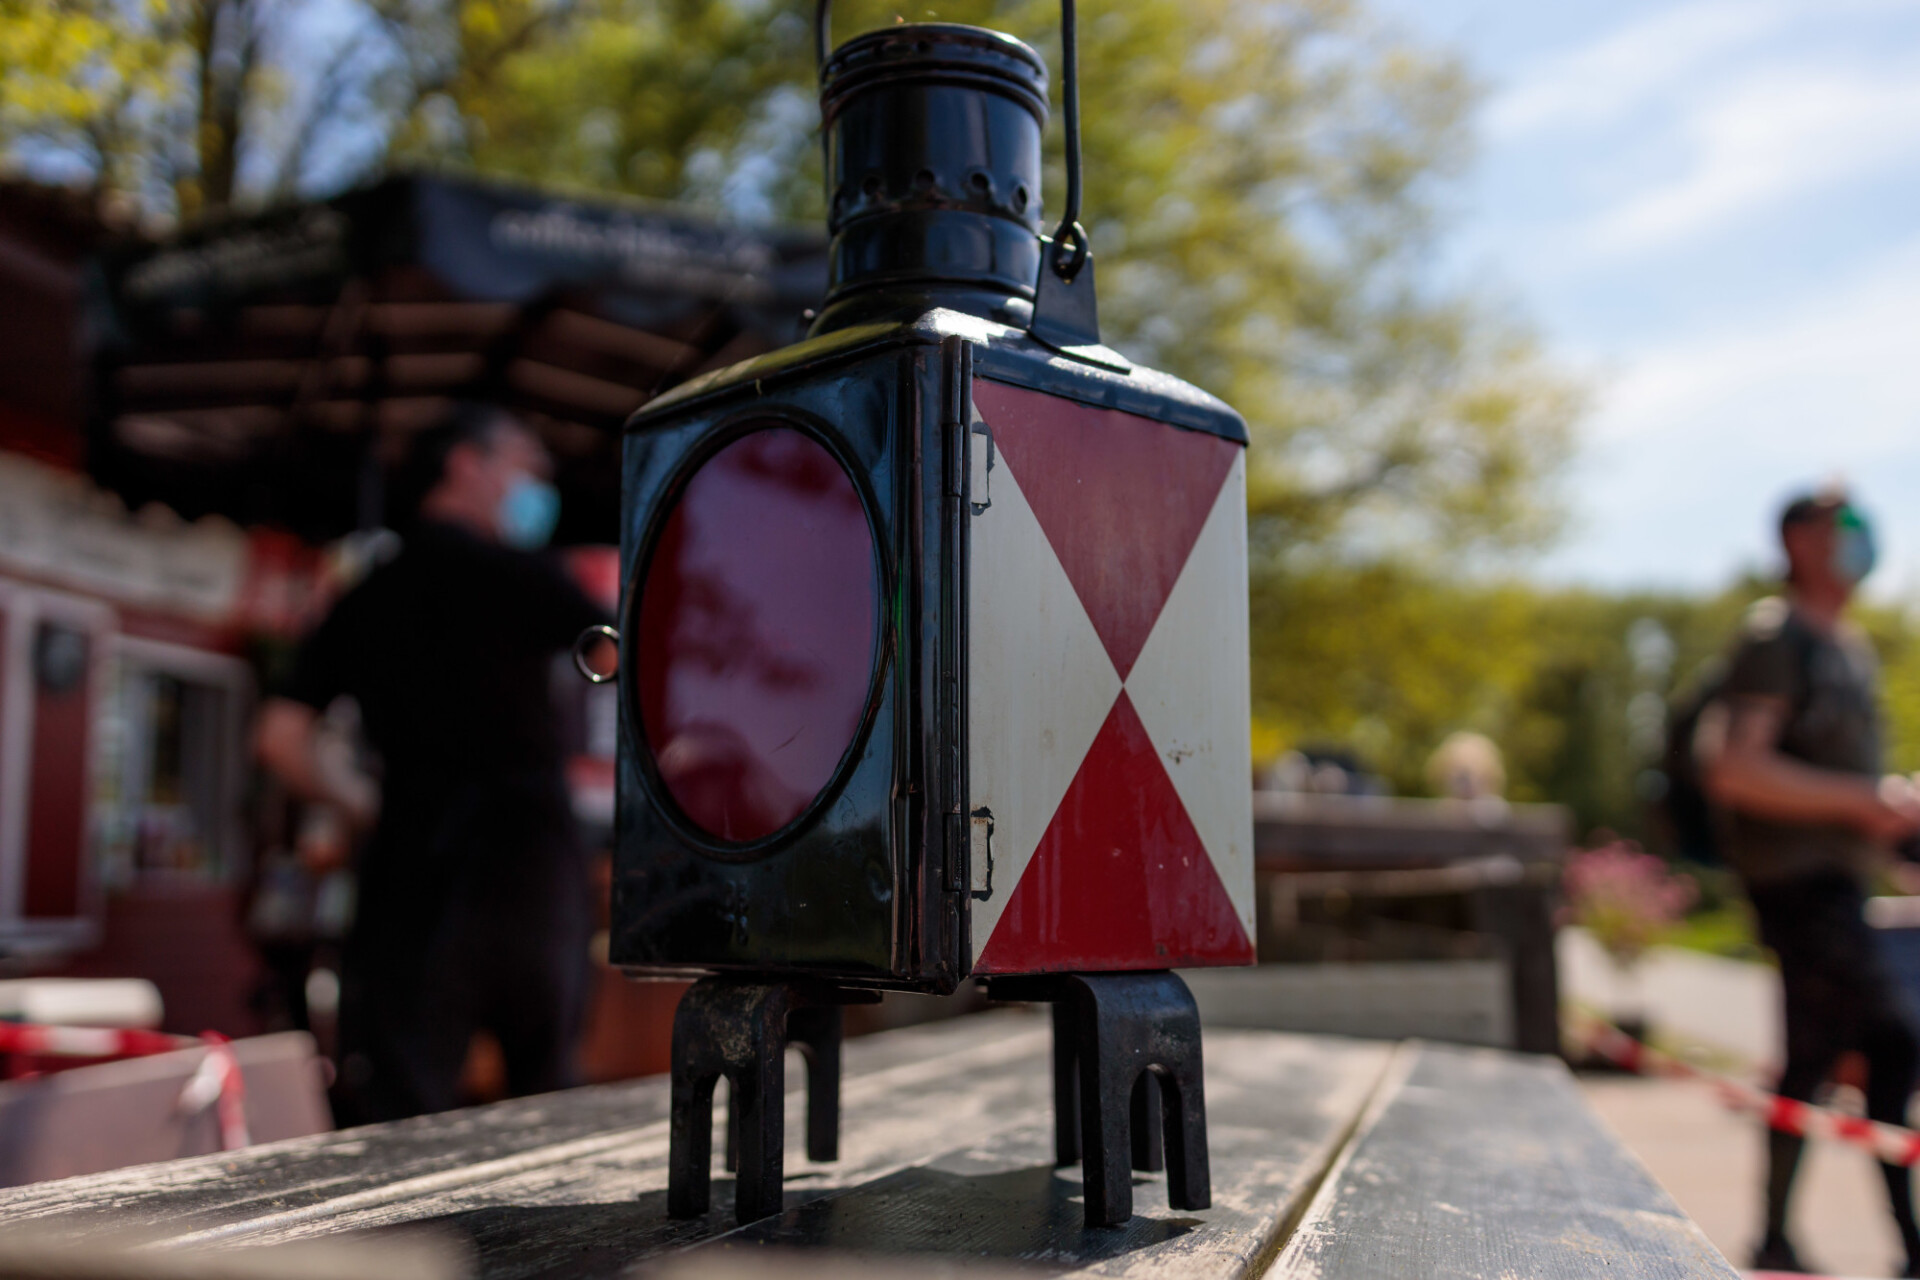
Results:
x,y
934,640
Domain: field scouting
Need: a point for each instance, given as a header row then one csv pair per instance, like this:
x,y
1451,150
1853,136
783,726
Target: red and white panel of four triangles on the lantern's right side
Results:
x,y
1109,765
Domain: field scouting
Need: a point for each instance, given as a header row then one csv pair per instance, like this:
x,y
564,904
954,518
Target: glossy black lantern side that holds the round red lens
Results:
x,y
819,884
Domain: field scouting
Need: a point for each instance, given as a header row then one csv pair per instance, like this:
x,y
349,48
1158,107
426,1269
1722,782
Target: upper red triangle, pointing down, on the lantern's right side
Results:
x,y
1122,500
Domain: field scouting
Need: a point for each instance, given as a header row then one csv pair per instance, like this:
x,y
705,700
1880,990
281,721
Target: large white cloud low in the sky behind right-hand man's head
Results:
x,y
1700,439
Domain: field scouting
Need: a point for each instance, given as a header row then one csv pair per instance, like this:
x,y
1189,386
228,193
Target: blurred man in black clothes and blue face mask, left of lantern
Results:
x,y
473,886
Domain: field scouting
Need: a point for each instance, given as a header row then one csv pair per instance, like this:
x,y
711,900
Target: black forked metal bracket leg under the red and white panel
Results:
x,y
1126,1076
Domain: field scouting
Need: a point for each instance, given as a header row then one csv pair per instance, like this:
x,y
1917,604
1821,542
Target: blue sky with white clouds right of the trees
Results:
x,y
1712,210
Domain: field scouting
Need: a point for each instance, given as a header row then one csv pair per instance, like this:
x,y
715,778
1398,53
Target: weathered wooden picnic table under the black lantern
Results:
x,y
1332,1160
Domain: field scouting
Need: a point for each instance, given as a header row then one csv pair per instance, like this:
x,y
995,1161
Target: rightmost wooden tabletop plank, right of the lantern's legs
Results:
x,y
1485,1166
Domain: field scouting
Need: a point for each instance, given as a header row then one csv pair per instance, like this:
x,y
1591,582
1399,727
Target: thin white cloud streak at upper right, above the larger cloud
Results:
x,y
1767,139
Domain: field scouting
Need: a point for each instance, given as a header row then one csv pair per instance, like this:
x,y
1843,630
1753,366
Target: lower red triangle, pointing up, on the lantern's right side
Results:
x,y
1120,880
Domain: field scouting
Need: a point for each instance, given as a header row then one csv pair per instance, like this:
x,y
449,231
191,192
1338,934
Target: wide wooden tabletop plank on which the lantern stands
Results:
x,y
1278,1110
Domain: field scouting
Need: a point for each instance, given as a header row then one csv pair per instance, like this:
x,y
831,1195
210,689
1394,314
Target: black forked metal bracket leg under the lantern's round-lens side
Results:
x,y
740,1030
